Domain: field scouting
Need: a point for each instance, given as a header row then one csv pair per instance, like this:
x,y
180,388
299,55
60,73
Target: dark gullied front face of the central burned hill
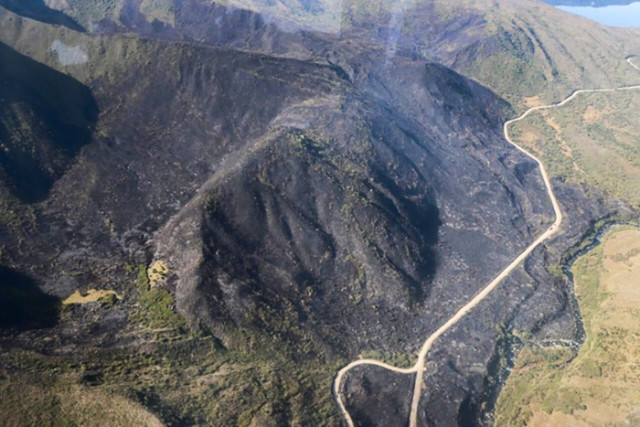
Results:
x,y
315,232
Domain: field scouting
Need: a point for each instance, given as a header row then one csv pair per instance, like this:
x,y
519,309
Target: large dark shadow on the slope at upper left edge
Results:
x,y
45,118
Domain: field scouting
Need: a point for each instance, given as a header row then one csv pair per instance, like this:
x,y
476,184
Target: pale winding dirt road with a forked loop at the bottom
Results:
x,y
419,368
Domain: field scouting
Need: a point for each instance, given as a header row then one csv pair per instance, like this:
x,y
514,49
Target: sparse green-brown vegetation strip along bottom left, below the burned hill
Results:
x,y
187,381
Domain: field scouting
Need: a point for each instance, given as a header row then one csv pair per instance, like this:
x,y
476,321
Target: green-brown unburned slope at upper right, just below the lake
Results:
x,y
544,52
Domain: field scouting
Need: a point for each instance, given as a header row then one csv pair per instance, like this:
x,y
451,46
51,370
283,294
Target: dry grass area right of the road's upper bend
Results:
x,y
592,140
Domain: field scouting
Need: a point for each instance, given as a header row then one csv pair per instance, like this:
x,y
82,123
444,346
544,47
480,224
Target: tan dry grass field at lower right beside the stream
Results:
x,y
601,384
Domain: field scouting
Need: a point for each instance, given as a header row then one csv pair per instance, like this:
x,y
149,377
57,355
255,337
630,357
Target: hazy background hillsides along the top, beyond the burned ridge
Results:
x,y
519,49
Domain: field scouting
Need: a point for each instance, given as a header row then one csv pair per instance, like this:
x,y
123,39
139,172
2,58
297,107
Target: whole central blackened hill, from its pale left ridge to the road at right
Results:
x,y
334,215
